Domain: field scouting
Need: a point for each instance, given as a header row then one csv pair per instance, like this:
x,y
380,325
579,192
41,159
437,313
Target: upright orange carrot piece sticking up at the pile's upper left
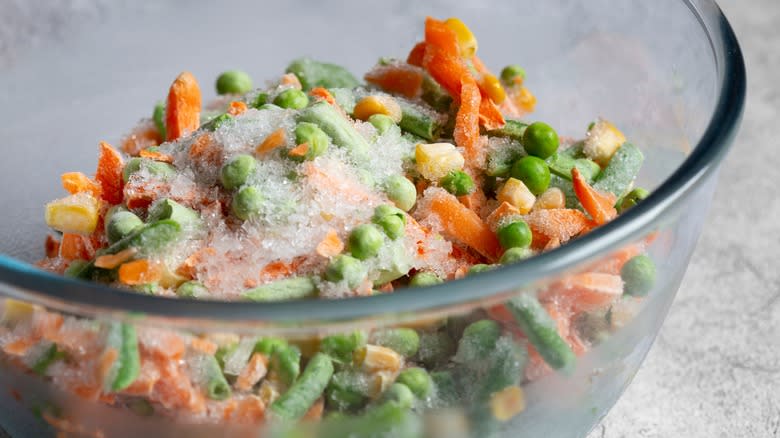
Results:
x,y
182,114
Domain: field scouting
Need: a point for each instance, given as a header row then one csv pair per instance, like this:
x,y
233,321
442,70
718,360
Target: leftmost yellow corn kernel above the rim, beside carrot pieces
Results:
x,y
77,214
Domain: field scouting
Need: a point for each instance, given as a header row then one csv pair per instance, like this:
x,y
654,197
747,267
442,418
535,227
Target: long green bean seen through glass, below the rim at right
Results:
x,y
542,332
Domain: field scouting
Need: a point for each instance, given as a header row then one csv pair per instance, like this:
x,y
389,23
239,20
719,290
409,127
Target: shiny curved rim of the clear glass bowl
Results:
x,y
23,281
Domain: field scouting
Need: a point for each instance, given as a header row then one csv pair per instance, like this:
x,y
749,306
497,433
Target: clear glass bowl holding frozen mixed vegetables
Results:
x,y
669,73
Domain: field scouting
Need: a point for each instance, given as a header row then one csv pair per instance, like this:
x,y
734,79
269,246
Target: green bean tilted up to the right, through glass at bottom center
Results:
x,y
293,404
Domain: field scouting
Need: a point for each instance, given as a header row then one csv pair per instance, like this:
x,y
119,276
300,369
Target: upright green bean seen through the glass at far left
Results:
x,y
122,339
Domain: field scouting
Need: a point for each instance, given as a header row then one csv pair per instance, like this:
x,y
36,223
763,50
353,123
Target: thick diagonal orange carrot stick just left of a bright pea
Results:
x,y
465,225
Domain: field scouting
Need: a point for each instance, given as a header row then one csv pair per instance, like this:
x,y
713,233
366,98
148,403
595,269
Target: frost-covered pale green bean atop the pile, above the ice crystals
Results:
x,y
340,130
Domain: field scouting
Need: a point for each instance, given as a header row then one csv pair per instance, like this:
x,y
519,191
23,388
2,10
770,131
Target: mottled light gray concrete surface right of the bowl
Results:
x,y
714,370
